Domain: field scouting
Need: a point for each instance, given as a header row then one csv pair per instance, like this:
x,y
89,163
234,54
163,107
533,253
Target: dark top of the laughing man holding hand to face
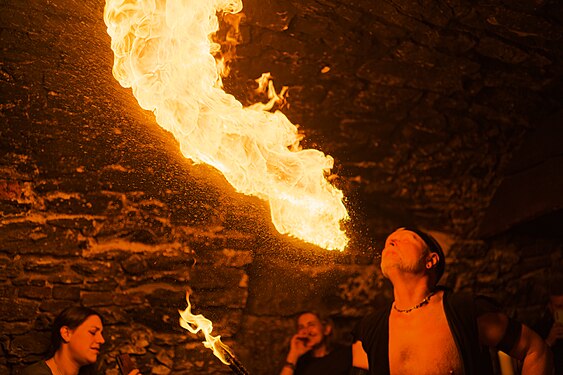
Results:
x,y
337,362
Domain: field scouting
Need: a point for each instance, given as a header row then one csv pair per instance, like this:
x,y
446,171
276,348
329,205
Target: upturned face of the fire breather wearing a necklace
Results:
x,y
404,251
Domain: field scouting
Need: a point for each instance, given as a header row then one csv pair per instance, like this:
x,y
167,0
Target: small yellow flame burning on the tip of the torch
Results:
x,y
197,323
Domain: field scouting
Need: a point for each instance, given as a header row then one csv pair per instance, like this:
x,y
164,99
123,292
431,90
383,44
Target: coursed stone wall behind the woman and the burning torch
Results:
x,y
131,257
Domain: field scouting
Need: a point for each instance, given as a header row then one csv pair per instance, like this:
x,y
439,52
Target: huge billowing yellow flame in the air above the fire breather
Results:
x,y
164,52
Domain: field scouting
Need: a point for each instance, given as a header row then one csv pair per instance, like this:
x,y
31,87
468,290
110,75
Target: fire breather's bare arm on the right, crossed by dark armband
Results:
x,y
530,348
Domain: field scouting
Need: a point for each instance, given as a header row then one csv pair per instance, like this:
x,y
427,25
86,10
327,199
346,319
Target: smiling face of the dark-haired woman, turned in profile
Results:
x,y
85,341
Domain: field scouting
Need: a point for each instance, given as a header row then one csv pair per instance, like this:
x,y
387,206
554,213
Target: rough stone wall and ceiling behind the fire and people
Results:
x,y
421,105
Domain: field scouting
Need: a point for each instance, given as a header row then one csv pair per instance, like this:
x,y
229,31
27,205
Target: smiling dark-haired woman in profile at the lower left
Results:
x,y
76,339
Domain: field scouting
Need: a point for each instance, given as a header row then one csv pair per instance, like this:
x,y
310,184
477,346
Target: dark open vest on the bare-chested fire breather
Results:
x,y
461,312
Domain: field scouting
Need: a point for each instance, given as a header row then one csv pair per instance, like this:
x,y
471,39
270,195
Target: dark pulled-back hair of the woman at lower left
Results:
x,y
71,317
